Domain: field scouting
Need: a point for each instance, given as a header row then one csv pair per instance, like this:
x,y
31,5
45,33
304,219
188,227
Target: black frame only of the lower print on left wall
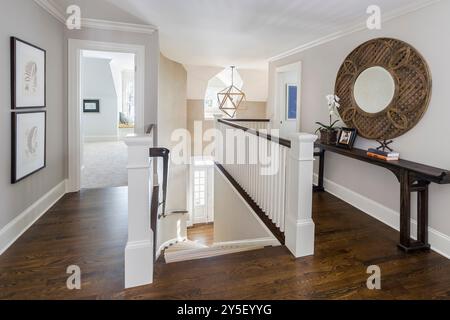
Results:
x,y
14,157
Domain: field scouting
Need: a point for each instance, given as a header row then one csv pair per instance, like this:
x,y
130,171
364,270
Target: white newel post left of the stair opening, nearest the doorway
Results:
x,y
139,250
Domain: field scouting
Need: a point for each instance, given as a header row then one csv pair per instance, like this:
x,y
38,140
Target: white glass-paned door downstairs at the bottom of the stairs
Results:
x,y
202,195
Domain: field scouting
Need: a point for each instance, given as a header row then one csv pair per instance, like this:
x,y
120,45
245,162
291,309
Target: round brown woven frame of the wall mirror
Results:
x,y
413,84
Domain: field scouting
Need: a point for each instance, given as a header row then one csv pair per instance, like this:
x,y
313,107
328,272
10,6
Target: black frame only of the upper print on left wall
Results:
x,y
14,93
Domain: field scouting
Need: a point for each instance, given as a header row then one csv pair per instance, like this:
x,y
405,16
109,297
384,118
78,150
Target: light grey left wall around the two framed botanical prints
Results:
x,y
39,28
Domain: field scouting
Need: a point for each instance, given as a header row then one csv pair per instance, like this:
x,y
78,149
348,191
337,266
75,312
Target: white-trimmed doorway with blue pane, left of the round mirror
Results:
x,y
287,98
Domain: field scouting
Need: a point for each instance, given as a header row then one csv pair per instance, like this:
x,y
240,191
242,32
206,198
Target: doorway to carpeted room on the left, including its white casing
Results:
x,y
103,111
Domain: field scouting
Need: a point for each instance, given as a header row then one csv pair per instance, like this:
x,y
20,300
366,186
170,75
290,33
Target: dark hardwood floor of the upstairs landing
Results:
x,y
89,230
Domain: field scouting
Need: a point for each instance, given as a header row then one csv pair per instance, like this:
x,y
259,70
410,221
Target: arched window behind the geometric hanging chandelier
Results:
x,y
219,82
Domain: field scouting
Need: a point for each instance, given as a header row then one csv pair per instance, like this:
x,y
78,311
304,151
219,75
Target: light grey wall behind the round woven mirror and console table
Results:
x,y
374,189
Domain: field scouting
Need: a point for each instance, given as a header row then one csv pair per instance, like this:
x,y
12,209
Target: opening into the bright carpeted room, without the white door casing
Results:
x,y
107,116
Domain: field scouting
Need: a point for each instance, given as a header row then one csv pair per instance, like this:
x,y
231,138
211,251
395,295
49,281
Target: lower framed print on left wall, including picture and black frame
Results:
x,y
28,144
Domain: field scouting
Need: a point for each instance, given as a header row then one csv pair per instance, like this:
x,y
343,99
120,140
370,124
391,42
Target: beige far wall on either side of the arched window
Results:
x,y
196,113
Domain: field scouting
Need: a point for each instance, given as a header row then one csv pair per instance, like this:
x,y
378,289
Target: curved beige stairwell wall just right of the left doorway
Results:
x,y
172,115
